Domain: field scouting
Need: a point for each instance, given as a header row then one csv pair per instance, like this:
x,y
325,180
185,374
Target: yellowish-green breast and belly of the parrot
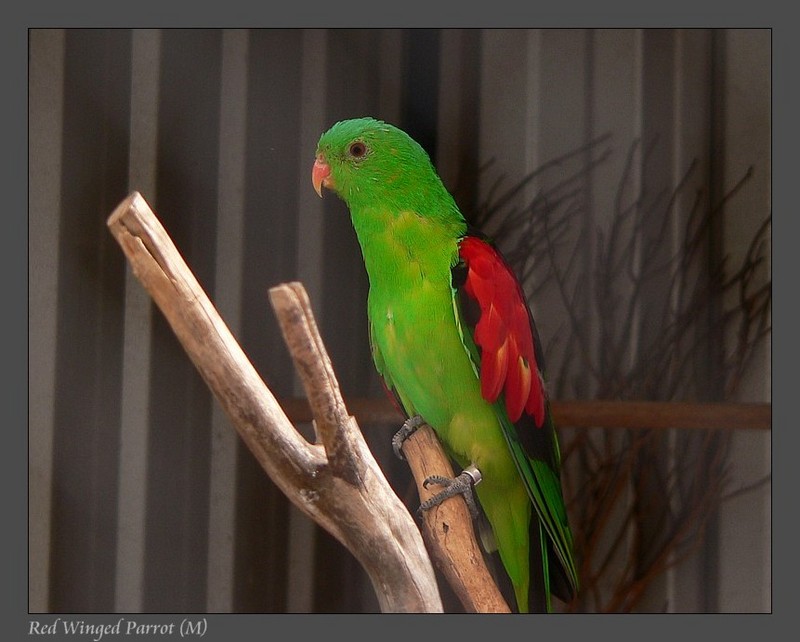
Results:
x,y
416,339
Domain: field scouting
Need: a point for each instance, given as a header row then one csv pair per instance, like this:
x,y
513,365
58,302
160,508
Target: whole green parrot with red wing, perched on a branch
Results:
x,y
454,341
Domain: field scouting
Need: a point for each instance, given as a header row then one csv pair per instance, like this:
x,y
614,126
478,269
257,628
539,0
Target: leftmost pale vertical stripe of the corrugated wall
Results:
x,y
45,118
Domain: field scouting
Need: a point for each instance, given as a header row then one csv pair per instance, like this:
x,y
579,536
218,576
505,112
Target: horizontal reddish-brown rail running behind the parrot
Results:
x,y
657,415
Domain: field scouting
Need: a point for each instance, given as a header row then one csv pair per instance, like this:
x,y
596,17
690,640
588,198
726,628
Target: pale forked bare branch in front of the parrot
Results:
x,y
337,483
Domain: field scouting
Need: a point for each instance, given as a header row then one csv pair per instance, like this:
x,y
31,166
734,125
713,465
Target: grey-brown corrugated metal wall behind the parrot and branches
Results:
x,y
141,496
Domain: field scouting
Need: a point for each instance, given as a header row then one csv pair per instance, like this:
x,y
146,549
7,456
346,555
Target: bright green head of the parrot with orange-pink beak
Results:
x,y
364,161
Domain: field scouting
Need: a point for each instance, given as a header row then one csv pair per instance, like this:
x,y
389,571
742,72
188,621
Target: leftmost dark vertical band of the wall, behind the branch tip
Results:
x,y
89,314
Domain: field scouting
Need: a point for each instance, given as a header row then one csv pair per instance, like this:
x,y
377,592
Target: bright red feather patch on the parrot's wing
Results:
x,y
503,333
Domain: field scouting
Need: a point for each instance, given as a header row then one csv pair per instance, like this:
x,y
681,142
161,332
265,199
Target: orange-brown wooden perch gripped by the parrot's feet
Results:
x,y
448,529
